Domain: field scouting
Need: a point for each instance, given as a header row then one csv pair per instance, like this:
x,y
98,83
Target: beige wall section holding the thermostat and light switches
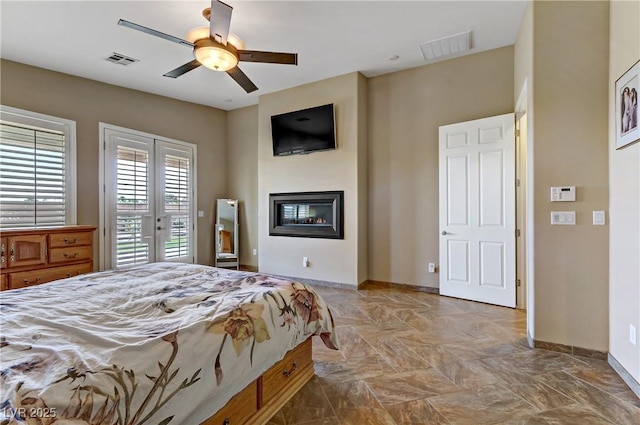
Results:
x,y
570,69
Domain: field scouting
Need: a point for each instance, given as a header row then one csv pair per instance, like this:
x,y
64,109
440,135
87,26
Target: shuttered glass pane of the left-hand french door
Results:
x,y
132,205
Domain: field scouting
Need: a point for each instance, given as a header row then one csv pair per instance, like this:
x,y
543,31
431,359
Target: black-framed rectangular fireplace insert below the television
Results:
x,y
307,214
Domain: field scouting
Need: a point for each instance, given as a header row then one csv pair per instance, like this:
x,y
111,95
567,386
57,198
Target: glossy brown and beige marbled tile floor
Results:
x,y
416,358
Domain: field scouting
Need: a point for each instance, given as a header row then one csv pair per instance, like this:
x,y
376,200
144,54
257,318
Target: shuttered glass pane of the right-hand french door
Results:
x,y
177,206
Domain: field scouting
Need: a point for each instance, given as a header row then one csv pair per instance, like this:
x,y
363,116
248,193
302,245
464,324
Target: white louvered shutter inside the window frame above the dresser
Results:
x,y
33,169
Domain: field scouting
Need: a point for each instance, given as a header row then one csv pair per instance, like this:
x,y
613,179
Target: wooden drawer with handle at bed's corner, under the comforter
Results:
x,y
293,363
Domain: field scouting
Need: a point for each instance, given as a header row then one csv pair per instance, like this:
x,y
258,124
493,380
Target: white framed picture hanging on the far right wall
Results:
x,y
627,115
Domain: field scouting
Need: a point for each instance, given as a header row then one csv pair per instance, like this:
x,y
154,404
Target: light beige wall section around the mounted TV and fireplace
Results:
x,y
331,260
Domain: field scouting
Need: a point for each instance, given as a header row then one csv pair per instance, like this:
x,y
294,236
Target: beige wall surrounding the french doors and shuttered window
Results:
x,y
89,102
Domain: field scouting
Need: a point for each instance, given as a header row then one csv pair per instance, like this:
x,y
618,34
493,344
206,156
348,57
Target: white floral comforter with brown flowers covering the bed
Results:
x,y
164,343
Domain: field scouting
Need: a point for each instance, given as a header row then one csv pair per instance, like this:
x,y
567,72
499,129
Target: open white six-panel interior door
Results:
x,y
477,210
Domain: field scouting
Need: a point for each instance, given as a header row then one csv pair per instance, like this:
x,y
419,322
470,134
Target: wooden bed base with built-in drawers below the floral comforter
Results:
x,y
260,400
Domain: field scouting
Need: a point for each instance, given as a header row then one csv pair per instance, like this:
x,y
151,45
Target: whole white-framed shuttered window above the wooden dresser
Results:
x,y
37,170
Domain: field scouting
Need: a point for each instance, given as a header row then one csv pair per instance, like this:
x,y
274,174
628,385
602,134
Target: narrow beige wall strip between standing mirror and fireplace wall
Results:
x,y
242,165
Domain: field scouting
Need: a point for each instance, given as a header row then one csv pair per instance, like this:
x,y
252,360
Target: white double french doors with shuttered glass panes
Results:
x,y
148,200
